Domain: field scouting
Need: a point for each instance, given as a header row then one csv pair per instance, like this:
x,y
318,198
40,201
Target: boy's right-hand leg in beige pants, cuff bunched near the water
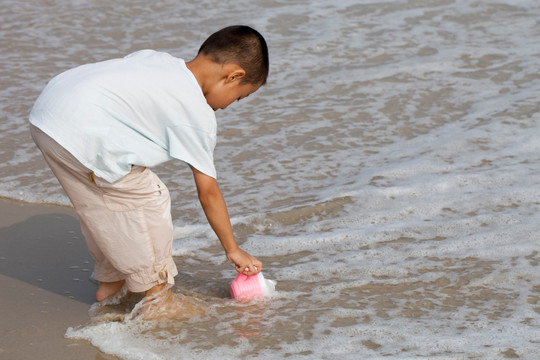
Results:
x,y
137,234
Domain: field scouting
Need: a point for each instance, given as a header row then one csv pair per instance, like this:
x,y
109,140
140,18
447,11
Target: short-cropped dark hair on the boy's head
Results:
x,y
241,45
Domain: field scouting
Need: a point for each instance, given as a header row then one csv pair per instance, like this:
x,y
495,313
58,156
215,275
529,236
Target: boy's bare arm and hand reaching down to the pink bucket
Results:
x,y
216,212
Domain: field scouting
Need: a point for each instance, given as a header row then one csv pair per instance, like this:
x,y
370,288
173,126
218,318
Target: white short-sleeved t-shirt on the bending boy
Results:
x,y
143,109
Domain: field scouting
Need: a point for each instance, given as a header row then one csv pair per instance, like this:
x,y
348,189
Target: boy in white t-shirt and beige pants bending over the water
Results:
x,y
100,126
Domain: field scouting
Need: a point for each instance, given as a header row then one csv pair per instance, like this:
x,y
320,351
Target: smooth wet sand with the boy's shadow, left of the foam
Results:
x,y
44,270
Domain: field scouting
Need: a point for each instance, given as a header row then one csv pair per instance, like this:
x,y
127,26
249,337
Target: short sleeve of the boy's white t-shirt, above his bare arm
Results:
x,y
193,146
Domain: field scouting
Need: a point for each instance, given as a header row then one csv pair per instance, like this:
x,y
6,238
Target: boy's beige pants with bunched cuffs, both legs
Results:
x,y
127,224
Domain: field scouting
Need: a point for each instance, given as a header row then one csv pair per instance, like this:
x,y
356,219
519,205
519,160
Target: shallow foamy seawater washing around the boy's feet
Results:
x,y
388,175
